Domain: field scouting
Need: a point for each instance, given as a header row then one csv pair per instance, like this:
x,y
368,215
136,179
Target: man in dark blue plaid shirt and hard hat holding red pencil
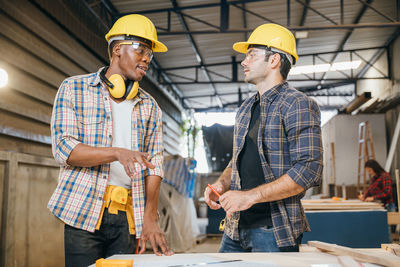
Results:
x,y
277,153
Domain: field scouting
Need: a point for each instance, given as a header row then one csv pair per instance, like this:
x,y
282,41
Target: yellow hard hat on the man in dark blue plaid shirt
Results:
x,y
271,35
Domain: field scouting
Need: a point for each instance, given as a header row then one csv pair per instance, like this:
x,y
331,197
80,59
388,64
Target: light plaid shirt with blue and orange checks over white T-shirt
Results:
x,y
82,114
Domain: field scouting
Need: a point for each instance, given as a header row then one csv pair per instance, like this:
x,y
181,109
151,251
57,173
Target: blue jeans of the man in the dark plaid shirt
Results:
x,y
255,240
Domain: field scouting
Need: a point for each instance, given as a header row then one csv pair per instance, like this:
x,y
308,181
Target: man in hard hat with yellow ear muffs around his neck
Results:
x,y
107,138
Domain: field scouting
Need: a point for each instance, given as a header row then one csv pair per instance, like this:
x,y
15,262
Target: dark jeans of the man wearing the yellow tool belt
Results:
x,y
83,248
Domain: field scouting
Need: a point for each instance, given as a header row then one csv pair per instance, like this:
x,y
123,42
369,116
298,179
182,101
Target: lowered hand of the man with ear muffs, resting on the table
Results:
x,y
153,233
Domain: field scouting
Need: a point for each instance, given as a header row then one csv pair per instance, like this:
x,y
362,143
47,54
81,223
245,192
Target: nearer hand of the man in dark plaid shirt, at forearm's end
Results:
x,y
233,201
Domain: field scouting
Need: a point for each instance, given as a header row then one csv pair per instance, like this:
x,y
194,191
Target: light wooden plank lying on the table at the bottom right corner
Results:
x,y
371,257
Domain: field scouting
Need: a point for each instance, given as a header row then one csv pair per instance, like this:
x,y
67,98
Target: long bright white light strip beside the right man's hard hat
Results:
x,y
307,69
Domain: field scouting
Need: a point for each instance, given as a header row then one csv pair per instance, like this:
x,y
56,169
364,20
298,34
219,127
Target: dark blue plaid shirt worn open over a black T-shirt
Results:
x,y
289,142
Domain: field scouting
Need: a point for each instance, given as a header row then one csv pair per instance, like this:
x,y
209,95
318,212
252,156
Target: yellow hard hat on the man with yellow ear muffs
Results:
x,y
136,25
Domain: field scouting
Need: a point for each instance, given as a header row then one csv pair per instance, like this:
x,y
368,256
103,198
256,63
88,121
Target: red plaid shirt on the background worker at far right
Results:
x,y
381,188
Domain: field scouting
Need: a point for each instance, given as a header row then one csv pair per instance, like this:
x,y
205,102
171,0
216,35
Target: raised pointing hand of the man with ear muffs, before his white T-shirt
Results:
x,y
127,158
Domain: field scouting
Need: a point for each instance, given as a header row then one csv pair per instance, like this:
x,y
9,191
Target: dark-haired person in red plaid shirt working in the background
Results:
x,y
380,187
